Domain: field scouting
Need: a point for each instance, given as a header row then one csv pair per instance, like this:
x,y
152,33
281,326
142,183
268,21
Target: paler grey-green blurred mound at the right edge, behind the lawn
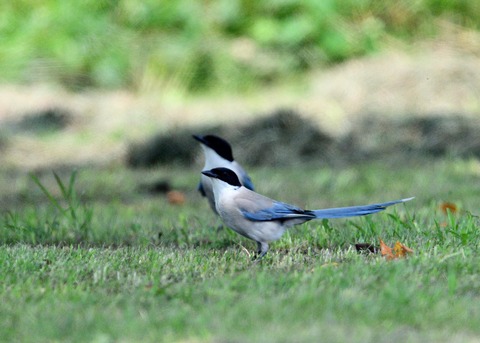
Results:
x,y
433,136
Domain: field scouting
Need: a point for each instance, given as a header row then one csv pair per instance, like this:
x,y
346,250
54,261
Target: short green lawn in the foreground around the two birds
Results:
x,y
147,270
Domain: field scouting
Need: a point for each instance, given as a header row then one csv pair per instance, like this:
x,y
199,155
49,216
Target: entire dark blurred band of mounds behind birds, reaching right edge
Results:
x,y
286,138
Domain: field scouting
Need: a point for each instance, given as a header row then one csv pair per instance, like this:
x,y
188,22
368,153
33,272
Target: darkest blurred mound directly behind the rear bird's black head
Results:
x,y
282,138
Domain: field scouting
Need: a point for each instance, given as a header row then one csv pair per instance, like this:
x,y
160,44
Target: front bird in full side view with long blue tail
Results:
x,y
264,220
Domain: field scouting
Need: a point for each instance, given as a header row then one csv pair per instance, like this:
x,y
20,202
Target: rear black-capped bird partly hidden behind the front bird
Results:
x,y
218,153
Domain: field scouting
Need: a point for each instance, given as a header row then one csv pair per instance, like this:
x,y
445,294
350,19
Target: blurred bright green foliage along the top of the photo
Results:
x,y
198,45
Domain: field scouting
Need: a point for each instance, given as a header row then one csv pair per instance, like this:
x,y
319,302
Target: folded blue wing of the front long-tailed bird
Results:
x,y
279,211
